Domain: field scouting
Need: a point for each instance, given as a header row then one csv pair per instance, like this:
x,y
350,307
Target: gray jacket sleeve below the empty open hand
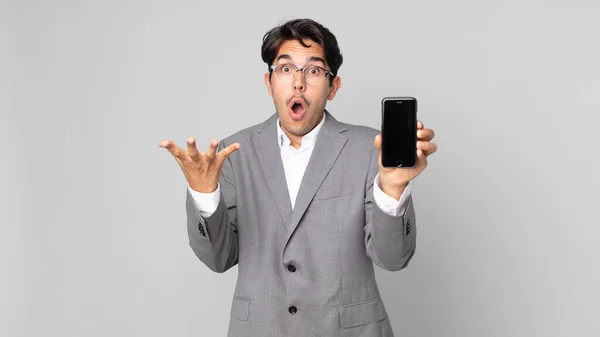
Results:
x,y
214,239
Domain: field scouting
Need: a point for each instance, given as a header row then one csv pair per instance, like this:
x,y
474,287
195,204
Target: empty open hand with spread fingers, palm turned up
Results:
x,y
202,170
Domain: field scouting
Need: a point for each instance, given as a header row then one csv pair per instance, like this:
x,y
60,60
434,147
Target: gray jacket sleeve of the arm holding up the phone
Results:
x,y
390,241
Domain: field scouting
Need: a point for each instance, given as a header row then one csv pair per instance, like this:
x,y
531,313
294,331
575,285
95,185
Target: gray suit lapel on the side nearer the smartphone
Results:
x,y
328,146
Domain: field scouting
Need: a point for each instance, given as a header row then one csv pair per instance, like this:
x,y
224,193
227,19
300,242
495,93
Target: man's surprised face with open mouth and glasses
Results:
x,y
300,106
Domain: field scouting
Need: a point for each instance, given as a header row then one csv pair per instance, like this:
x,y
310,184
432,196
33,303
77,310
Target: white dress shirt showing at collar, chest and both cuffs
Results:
x,y
294,164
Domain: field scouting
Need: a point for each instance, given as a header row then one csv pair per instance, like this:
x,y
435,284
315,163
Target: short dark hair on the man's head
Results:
x,y
300,29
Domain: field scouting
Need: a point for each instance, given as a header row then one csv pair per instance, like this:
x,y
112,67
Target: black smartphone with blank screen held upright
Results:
x,y
399,131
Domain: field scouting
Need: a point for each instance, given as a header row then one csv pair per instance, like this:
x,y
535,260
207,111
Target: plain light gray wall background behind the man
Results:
x,y
93,239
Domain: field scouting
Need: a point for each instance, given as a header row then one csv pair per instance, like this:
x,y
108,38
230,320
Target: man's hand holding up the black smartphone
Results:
x,y
394,180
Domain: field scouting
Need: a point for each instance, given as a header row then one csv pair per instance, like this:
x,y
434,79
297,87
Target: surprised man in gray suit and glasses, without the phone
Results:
x,y
301,202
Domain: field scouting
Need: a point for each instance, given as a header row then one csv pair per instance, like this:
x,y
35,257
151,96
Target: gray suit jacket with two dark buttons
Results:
x,y
306,271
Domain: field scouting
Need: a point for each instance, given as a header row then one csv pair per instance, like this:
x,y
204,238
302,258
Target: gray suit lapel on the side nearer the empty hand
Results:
x,y
269,156
